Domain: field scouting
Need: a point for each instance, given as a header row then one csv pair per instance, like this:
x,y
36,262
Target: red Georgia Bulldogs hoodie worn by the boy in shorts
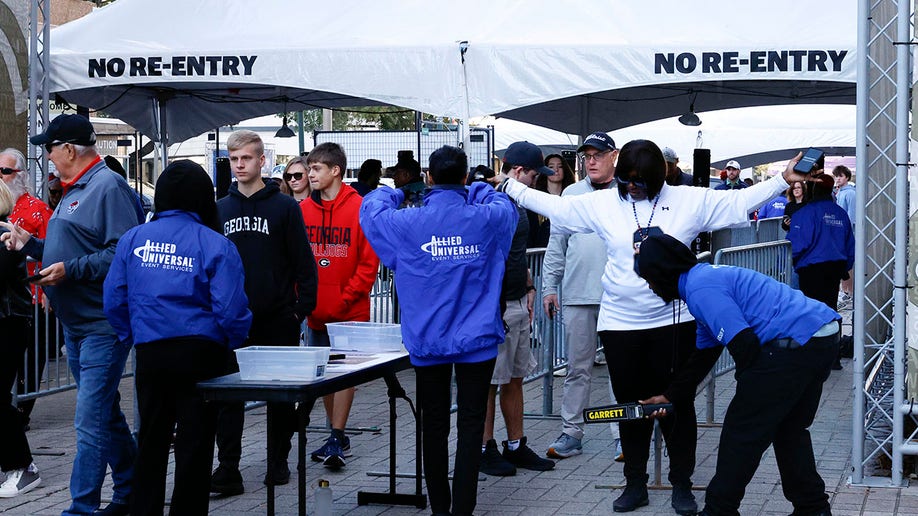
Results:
x,y
345,261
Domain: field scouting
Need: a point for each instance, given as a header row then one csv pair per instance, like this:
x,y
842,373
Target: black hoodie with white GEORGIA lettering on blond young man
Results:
x,y
280,275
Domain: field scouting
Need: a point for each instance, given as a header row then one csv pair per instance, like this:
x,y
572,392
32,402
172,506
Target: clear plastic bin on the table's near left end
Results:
x,y
281,363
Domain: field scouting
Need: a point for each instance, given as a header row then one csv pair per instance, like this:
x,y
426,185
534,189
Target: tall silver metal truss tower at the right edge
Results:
x,y
879,440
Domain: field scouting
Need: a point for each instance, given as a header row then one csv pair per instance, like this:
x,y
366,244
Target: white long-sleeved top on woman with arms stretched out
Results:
x,y
681,211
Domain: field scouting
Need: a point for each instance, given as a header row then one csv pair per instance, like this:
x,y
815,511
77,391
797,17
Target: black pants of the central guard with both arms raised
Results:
x,y
434,384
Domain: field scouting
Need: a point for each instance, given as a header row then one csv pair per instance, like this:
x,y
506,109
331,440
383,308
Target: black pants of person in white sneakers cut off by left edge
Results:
x,y
14,446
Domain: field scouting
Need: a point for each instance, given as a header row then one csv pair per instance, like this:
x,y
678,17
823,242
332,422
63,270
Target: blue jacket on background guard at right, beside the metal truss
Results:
x,y
821,232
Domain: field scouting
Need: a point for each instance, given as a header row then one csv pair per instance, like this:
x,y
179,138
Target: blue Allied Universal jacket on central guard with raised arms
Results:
x,y
448,257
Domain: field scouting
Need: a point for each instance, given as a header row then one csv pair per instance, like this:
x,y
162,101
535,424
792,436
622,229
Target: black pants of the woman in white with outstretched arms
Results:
x,y
642,364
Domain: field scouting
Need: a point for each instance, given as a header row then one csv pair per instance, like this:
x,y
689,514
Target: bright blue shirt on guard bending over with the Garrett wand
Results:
x,y
726,300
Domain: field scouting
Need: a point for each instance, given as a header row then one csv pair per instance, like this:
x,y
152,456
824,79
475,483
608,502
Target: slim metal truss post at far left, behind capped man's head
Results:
x,y
39,57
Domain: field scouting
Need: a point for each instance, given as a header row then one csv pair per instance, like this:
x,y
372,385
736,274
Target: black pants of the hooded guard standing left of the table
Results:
x,y
166,374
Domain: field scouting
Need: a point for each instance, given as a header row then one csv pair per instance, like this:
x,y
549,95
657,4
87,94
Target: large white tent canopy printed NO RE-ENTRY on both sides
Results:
x,y
562,64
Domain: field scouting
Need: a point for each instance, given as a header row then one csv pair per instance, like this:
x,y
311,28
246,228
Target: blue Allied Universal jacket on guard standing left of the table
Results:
x,y
174,277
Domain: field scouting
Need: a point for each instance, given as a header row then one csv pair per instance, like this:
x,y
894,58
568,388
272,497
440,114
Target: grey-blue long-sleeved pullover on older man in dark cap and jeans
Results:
x,y
83,233
